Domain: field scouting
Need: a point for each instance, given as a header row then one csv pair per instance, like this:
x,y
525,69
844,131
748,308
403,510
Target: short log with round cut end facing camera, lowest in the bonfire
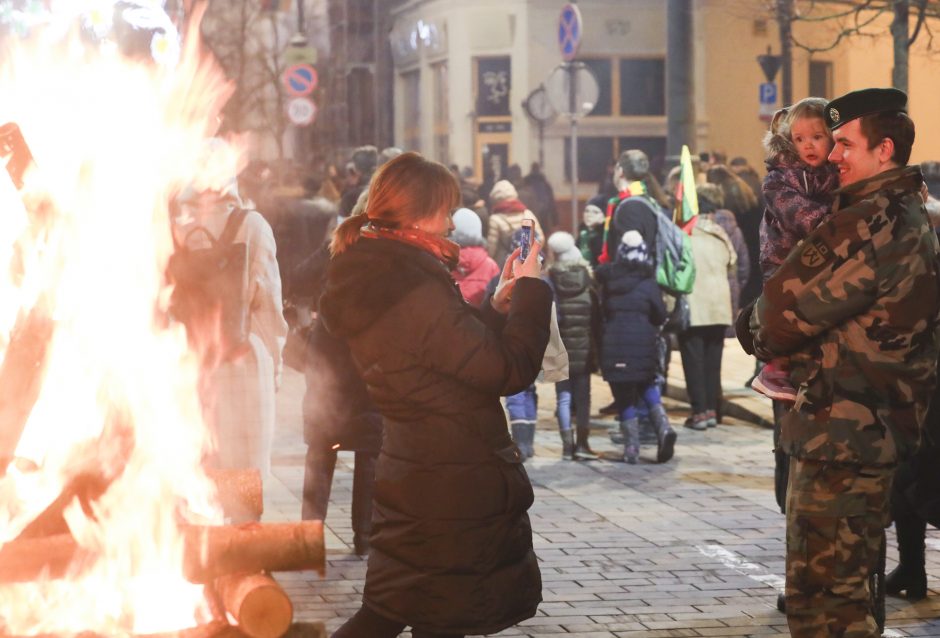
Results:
x,y
259,605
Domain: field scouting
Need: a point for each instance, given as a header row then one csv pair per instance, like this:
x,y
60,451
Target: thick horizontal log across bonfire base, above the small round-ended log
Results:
x,y
208,553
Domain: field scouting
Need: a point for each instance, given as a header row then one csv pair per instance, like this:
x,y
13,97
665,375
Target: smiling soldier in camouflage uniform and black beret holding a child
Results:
x,y
856,305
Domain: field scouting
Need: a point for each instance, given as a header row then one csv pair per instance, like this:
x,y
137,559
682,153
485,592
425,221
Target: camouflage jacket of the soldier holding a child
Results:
x,y
856,305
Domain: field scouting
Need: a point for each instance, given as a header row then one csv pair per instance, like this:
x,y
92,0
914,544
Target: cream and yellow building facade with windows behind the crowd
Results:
x,y
461,71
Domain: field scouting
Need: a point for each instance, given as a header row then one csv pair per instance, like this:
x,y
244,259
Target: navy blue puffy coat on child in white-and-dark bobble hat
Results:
x,y
633,313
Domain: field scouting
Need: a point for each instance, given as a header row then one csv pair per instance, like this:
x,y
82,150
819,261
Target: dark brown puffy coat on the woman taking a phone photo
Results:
x,y
451,546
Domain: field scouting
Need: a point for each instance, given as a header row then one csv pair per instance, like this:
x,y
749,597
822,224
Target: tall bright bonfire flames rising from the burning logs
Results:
x,y
113,140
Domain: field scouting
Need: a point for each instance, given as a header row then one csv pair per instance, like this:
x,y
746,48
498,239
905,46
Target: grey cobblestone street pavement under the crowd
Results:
x,y
693,547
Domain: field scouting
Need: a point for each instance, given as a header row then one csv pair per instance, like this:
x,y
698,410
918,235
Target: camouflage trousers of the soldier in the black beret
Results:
x,y
836,519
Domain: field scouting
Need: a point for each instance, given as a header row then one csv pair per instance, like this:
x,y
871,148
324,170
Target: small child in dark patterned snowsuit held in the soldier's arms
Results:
x,y
798,190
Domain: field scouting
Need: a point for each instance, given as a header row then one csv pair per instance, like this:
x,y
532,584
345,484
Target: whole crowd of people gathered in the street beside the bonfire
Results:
x,y
423,307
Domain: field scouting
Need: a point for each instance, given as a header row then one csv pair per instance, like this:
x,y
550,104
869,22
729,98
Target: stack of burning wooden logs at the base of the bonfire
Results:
x,y
232,561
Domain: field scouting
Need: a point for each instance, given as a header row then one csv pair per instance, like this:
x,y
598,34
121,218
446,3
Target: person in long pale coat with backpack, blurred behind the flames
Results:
x,y
237,389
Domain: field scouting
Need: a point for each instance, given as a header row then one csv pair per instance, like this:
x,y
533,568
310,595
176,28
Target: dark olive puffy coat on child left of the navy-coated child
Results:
x,y
575,300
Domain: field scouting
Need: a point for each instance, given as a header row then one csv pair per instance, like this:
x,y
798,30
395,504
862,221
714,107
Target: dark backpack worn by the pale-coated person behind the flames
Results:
x,y
210,294
